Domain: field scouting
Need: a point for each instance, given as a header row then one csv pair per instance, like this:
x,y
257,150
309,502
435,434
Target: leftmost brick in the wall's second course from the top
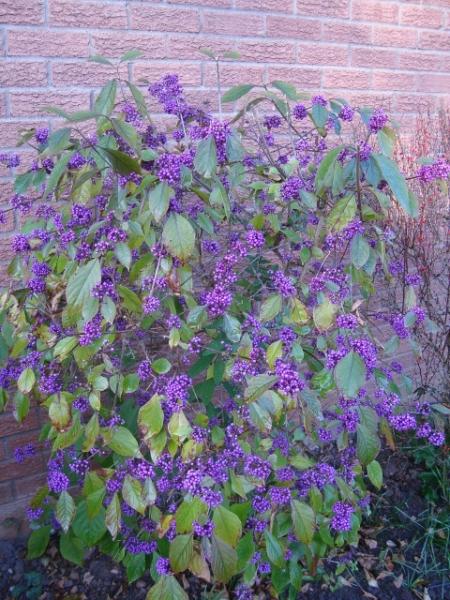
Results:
x,y
48,43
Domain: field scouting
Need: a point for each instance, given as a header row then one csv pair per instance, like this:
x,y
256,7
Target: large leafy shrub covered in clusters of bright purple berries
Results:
x,y
192,306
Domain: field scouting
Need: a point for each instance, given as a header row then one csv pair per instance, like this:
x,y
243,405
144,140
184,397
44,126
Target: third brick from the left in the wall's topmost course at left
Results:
x,y
155,18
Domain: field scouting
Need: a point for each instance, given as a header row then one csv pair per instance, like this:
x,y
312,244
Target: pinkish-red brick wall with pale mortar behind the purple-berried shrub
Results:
x,y
393,52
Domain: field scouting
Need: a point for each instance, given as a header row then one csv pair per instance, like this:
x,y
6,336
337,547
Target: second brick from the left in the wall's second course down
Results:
x,y
113,44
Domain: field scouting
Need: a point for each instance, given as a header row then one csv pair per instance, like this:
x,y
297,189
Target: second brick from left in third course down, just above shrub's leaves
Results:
x,y
83,74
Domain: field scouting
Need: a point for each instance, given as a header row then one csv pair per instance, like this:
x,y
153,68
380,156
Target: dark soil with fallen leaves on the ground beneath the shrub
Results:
x,y
373,570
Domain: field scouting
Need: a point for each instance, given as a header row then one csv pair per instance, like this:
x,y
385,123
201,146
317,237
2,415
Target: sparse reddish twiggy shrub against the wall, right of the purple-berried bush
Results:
x,y
420,247
